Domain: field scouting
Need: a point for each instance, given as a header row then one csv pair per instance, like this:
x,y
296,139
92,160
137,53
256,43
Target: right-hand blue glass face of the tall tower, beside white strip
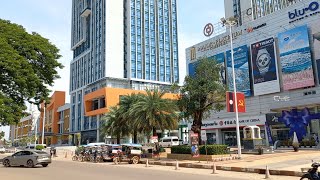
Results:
x,y
152,40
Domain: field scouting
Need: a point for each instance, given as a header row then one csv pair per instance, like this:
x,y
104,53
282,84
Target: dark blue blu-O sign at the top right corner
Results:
x,y
299,14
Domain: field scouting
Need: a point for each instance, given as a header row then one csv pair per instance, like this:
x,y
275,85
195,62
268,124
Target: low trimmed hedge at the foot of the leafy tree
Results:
x,y
212,149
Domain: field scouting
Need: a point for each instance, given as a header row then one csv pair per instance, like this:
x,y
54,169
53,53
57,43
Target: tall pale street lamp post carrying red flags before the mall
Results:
x,y
230,22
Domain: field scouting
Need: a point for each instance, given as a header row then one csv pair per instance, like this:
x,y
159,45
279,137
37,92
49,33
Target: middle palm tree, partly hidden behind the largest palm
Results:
x,y
126,102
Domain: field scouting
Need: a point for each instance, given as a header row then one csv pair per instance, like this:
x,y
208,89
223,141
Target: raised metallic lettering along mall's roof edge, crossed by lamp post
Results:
x,y
219,42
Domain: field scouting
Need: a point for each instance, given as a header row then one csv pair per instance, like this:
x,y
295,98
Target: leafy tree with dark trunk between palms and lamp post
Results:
x,y
202,93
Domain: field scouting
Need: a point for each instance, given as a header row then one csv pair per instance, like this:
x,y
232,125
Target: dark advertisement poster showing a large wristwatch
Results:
x,y
264,67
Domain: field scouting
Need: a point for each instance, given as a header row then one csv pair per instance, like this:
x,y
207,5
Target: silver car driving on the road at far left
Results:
x,y
27,158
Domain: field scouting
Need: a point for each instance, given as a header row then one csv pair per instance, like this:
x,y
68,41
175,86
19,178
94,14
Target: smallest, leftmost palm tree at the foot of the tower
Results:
x,y
114,125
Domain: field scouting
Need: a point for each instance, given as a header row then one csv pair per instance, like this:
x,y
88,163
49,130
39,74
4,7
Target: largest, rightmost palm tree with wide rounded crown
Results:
x,y
153,112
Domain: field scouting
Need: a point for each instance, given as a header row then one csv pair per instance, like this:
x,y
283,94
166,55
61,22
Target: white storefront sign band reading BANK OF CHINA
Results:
x,y
231,123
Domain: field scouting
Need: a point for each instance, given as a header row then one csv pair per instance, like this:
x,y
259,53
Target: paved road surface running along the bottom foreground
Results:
x,y
77,170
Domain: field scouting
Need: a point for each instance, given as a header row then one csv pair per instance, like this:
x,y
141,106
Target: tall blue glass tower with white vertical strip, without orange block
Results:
x,y
123,44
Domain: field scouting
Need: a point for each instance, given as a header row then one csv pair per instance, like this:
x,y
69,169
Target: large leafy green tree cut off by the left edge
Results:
x,y
28,65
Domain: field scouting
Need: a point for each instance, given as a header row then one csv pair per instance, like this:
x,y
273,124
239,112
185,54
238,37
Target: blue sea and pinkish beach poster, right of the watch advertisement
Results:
x,y
295,58
